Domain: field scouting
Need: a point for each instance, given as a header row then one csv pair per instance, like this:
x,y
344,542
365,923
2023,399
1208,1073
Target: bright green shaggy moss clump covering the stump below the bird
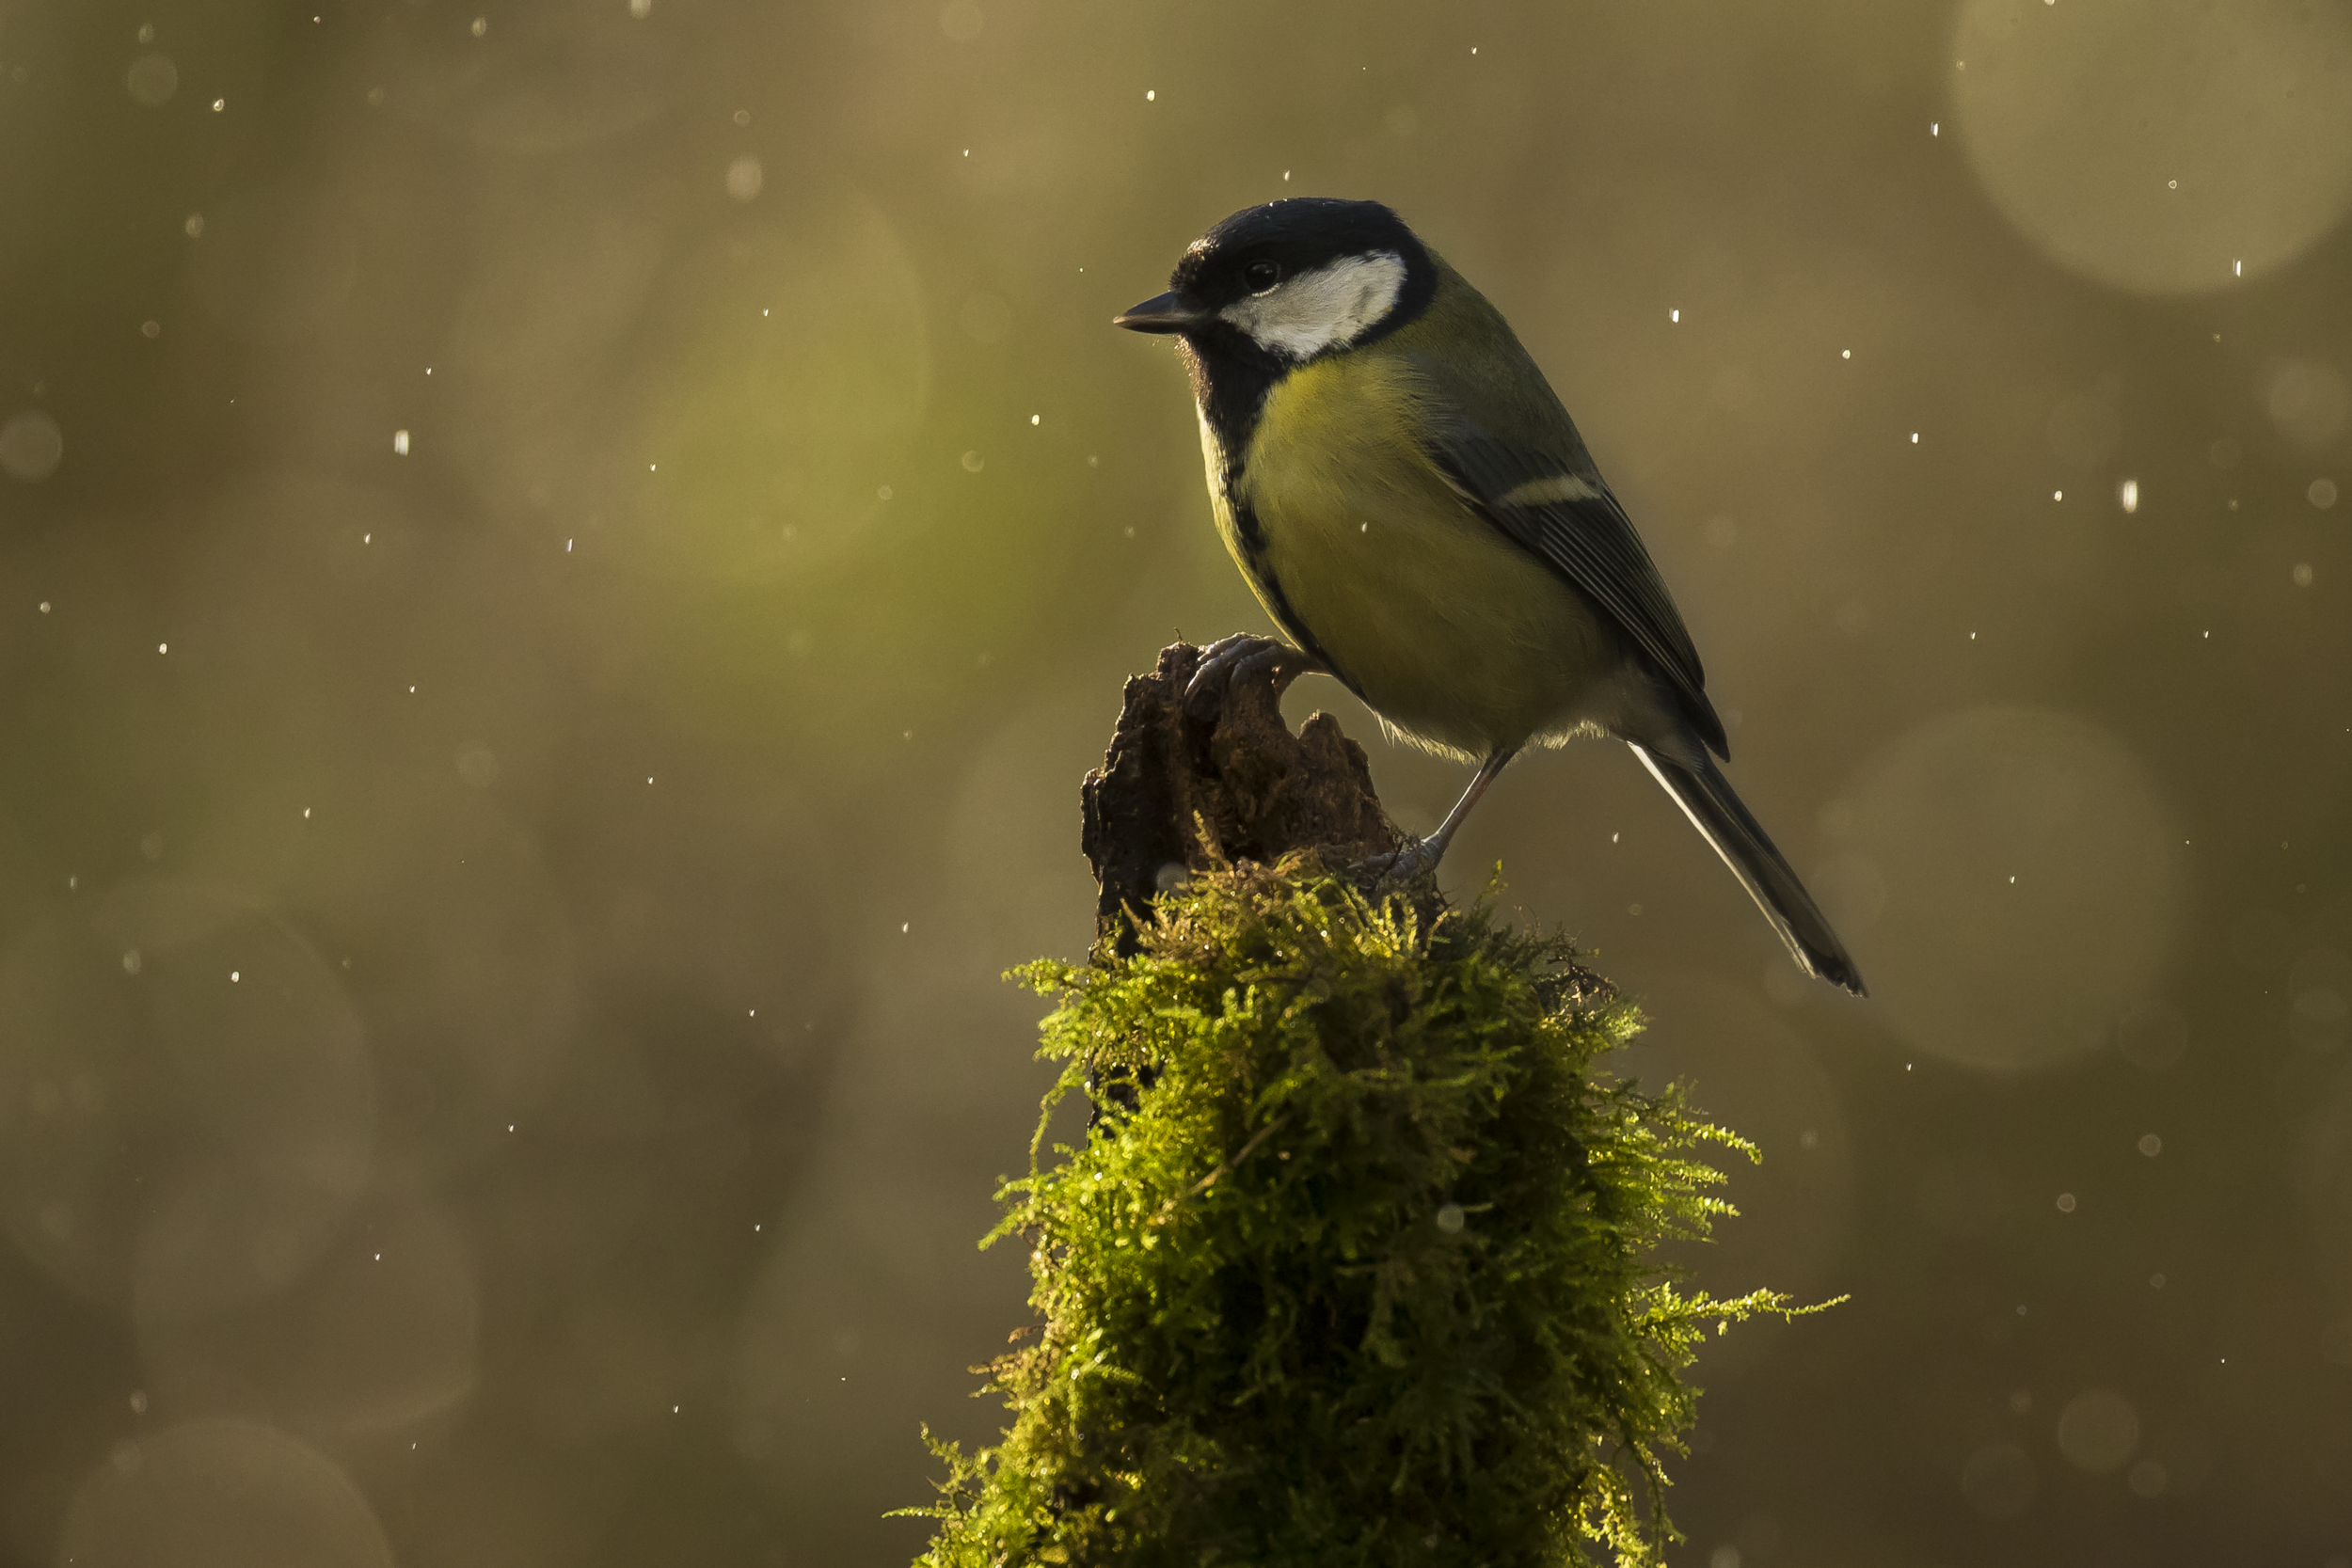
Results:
x,y
1363,1273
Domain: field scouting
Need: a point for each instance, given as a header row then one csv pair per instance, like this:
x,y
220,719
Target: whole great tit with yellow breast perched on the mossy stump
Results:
x,y
1417,514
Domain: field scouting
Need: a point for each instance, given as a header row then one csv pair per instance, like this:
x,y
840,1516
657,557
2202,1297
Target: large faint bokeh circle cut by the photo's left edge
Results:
x,y
187,1101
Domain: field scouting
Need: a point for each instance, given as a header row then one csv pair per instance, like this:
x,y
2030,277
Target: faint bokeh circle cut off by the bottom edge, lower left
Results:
x,y
222,1494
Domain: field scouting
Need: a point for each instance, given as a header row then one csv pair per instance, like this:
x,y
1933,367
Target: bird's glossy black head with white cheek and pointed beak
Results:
x,y
1292,281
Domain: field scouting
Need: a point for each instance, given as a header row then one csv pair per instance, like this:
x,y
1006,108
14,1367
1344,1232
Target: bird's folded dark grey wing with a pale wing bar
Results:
x,y
1558,509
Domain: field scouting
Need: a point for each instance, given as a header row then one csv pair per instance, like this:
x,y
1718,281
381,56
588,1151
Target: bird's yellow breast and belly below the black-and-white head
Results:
x,y
1452,634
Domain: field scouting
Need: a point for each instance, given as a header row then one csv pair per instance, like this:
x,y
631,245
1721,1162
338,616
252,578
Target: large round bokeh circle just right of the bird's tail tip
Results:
x,y
2031,883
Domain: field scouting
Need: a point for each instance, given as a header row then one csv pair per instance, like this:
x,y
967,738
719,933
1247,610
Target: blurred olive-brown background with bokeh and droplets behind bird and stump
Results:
x,y
561,568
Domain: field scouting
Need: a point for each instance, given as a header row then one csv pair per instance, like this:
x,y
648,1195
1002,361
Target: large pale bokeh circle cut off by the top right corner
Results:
x,y
2163,147
